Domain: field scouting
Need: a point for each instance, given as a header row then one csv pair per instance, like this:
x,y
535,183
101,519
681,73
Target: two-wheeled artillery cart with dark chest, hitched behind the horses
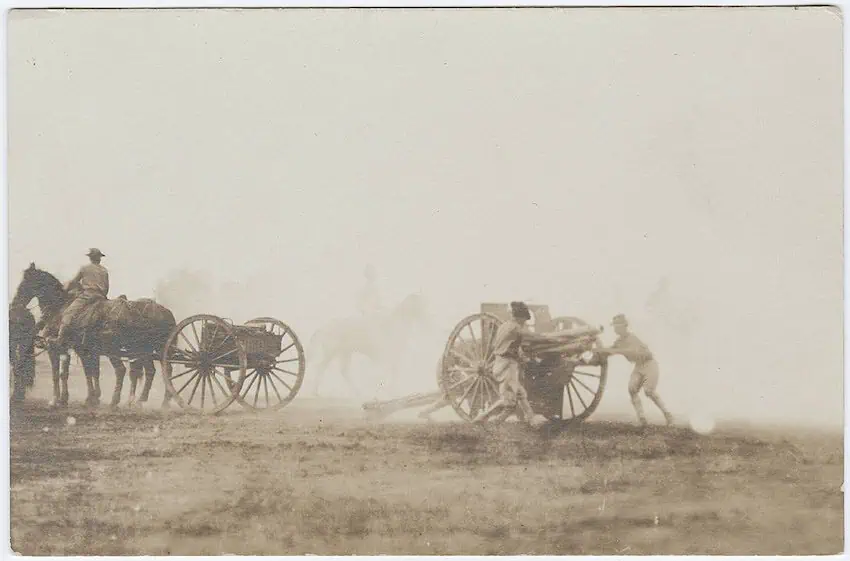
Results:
x,y
209,363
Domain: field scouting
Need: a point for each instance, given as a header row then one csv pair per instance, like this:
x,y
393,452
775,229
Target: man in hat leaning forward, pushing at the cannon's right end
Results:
x,y
645,374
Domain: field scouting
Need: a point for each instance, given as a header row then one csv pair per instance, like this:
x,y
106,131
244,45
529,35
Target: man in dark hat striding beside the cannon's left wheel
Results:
x,y
506,368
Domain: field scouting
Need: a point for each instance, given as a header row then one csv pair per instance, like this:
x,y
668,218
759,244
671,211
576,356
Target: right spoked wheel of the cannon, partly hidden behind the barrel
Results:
x,y
586,383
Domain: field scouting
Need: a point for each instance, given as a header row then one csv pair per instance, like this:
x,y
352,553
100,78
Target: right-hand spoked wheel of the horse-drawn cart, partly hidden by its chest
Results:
x,y
275,381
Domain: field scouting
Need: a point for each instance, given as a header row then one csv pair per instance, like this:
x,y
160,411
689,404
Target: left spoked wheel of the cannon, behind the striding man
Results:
x,y
466,374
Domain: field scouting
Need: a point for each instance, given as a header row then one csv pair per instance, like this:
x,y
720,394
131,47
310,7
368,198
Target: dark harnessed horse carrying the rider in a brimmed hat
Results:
x,y
112,328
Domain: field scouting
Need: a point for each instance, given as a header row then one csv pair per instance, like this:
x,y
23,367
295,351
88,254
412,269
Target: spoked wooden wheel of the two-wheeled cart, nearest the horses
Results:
x,y
199,359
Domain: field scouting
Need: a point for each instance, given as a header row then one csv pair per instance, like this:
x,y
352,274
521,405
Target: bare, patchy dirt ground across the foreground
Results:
x,y
319,478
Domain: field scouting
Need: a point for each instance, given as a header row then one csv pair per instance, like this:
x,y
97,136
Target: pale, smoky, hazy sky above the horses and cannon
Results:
x,y
574,157
